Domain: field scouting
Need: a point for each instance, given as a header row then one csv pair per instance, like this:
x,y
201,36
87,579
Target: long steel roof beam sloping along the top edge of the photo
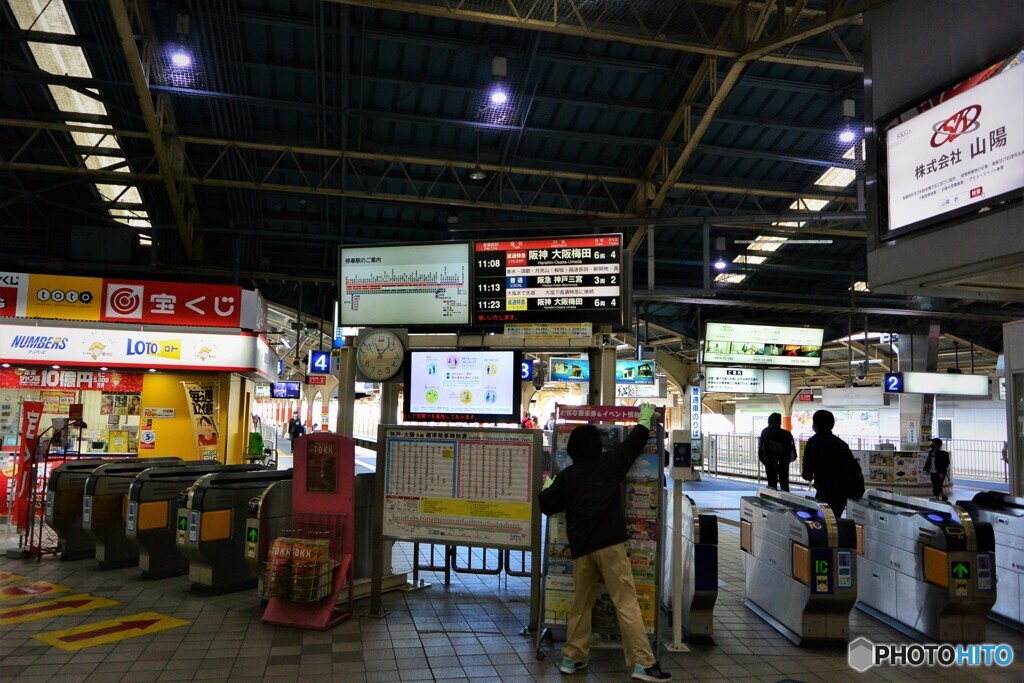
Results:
x,y
569,23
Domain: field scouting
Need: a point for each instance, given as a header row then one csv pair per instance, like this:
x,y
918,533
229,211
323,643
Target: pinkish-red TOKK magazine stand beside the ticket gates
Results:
x,y
324,506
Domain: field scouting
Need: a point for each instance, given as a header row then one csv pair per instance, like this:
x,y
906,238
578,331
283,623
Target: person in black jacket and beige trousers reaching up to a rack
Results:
x,y
589,493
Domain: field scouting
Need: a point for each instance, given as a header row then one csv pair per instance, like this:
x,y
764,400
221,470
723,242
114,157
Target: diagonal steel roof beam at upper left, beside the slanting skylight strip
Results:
x,y
183,206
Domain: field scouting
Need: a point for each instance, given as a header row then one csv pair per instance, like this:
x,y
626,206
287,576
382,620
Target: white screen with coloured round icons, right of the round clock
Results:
x,y
462,387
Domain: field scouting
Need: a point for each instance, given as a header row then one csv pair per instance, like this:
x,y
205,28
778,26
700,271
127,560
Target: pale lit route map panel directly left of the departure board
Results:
x,y
407,285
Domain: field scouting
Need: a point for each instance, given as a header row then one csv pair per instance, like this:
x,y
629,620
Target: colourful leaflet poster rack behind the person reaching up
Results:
x,y
644,501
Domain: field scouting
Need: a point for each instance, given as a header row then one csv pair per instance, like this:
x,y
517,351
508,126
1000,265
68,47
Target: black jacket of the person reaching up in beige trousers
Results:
x,y
590,495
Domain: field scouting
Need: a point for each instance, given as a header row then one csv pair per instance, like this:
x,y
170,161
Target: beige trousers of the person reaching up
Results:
x,y
614,566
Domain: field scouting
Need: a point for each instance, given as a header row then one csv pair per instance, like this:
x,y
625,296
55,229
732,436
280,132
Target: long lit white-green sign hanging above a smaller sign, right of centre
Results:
x,y
732,344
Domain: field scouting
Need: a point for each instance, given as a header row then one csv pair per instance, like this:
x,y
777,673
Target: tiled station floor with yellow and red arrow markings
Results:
x,y
468,631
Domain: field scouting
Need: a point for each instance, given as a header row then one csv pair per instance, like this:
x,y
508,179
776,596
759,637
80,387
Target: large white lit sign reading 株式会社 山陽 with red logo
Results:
x,y
956,152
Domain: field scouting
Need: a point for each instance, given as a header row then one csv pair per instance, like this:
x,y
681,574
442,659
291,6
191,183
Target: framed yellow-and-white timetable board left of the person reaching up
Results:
x,y
460,486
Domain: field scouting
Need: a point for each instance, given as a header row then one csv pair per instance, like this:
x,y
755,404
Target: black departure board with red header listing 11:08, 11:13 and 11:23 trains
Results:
x,y
577,279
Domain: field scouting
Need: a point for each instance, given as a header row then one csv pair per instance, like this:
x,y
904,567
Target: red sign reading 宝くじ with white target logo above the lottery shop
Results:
x,y
172,304
